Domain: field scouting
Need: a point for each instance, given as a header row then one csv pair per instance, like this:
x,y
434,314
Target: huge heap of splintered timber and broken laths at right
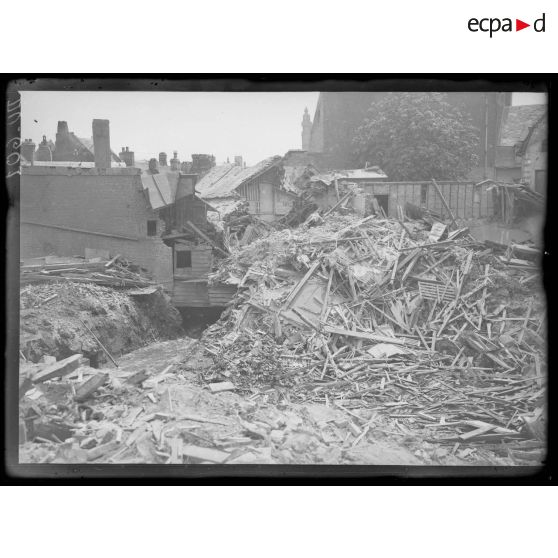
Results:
x,y
442,333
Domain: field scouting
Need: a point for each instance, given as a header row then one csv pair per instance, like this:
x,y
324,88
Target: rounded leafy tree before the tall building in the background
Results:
x,y
417,136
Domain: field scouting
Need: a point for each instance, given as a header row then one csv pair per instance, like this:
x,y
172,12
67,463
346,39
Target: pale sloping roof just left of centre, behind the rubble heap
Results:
x,y
222,181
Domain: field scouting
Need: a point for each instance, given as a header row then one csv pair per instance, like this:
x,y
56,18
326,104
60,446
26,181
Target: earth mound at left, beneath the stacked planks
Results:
x,y
52,317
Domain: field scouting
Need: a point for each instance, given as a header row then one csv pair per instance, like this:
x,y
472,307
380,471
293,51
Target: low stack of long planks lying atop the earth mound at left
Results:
x,y
115,272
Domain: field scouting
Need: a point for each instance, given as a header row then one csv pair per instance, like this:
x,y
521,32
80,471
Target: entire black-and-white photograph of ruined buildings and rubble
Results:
x,y
299,277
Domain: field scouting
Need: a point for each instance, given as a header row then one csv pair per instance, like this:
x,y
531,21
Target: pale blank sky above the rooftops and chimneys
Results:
x,y
253,125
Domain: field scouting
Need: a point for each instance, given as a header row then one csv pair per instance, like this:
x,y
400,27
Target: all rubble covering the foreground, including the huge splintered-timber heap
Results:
x,y
349,341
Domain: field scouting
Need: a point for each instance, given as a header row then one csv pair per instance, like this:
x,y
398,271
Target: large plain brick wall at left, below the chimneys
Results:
x,y
65,210
